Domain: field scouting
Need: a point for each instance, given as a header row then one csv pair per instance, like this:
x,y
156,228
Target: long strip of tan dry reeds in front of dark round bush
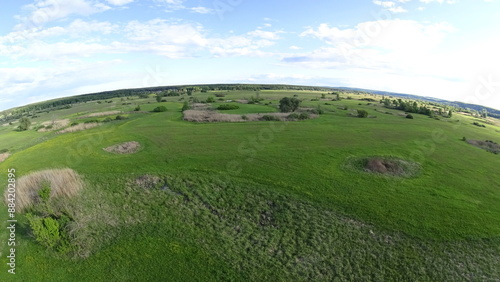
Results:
x,y
213,116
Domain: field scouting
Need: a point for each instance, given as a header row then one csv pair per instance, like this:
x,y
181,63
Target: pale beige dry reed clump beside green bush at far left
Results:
x,y
63,183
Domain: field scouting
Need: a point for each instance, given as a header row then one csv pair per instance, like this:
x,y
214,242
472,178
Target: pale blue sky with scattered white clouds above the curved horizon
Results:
x,y
435,48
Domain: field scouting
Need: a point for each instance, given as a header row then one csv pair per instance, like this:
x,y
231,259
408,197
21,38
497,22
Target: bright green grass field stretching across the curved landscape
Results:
x,y
265,201
